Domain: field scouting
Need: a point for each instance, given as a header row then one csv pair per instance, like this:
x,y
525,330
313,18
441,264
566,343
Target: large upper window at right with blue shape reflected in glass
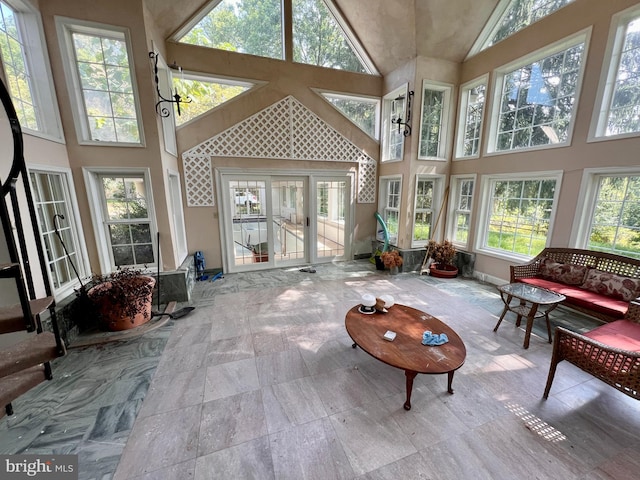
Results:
x,y
537,97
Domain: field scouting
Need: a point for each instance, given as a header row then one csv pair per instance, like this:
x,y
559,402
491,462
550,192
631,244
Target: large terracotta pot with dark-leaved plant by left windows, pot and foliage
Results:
x,y
122,299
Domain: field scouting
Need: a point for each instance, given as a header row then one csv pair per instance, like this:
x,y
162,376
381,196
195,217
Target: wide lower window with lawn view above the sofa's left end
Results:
x,y
518,212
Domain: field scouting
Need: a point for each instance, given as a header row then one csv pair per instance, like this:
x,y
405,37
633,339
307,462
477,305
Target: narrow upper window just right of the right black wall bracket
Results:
x,y
434,121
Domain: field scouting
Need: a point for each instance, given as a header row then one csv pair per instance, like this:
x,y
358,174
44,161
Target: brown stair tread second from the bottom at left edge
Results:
x,y
30,352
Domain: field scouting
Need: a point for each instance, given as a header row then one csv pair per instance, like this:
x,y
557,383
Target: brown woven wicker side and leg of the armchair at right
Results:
x,y
617,368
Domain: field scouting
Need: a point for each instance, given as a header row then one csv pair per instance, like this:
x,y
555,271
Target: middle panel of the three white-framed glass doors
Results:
x,y
289,220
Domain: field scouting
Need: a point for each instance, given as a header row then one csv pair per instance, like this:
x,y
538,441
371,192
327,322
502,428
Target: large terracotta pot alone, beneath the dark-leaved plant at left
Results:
x,y
112,316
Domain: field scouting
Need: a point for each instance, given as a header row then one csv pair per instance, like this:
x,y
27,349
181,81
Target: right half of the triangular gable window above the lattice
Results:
x,y
321,38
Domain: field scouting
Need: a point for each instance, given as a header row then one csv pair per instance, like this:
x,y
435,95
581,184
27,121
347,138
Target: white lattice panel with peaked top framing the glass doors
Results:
x,y
286,130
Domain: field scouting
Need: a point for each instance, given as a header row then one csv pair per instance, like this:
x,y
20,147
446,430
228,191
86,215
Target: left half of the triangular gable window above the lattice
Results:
x,y
245,26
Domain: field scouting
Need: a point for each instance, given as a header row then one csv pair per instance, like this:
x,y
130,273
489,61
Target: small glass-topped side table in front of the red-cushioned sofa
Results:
x,y
529,299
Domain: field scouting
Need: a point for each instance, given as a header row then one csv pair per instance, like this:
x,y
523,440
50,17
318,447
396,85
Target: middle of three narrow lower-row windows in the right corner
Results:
x,y
426,203
